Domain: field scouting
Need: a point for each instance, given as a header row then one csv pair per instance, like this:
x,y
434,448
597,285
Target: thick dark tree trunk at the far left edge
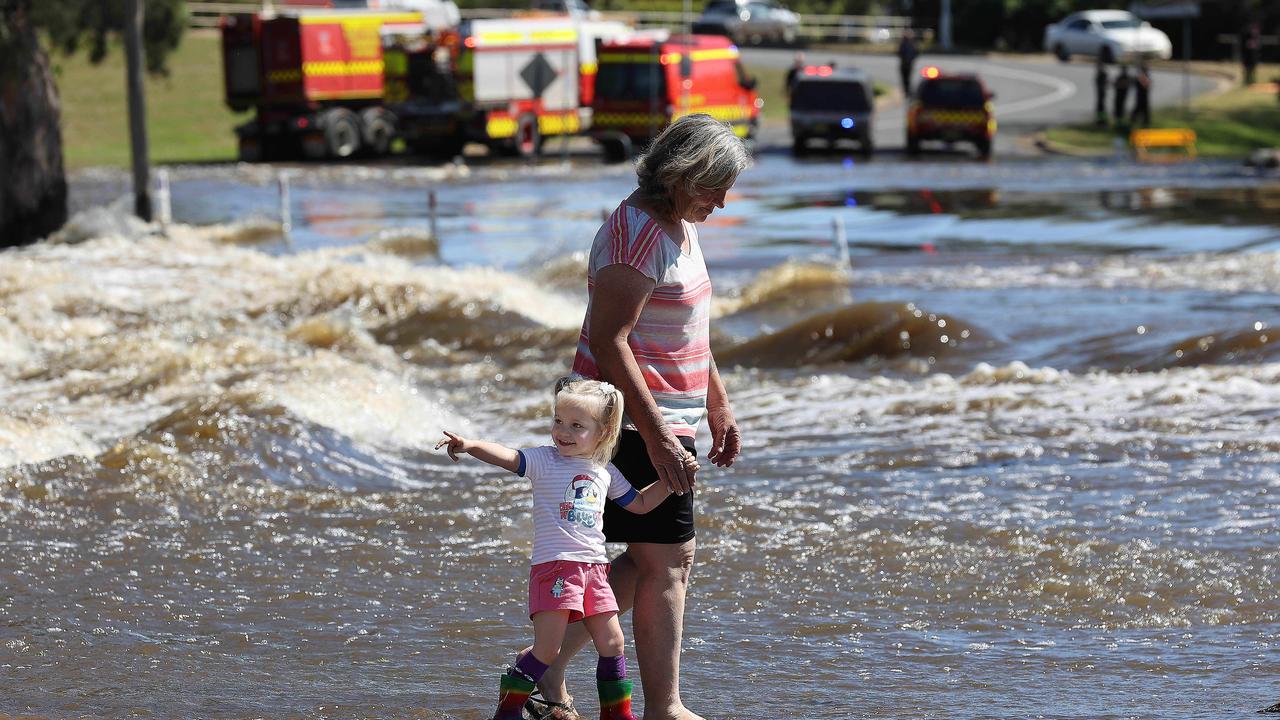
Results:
x,y
33,181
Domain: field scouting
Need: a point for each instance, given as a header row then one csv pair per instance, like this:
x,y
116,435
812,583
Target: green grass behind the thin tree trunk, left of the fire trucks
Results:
x,y
188,121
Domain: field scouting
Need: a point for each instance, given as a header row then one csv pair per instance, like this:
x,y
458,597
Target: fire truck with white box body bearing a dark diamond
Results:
x,y
509,84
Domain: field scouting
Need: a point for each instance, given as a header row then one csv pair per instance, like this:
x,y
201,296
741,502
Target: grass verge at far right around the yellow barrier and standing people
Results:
x,y
1228,125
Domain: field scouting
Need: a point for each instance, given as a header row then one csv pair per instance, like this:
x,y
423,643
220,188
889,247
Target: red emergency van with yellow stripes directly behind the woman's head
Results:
x,y
646,83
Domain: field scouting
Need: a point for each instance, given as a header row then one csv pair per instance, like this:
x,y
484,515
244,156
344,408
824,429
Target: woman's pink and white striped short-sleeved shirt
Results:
x,y
671,340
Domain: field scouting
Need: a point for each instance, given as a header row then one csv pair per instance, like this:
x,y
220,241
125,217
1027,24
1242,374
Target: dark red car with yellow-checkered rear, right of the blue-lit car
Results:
x,y
952,108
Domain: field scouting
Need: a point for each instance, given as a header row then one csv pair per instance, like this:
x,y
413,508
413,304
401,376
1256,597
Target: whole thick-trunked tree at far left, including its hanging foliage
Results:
x,y
33,179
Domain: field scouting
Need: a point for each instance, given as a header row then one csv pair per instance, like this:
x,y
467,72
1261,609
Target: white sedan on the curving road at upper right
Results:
x,y
1110,35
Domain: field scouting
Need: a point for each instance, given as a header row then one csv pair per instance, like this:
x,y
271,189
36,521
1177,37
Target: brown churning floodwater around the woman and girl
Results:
x,y
1020,459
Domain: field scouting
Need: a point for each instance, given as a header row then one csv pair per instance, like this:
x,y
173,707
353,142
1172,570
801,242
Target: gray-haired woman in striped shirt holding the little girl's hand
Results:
x,y
647,332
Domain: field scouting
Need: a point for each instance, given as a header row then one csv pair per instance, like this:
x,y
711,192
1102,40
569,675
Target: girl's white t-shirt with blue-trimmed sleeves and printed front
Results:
x,y
569,504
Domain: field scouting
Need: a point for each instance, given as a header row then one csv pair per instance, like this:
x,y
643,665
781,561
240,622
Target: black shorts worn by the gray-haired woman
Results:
x,y
670,523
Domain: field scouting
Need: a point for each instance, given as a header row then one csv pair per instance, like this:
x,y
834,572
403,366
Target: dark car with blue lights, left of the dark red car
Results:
x,y
831,104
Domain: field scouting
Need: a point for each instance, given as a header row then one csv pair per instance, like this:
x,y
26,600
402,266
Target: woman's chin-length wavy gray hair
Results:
x,y
694,154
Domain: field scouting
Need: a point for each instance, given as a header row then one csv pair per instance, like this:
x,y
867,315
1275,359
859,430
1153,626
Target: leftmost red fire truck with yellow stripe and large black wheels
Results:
x,y
313,75
